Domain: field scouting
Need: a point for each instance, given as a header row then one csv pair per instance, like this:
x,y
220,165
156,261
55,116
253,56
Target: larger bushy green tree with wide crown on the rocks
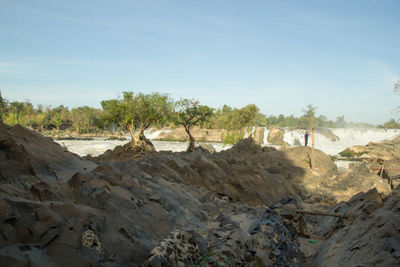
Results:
x,y
137,113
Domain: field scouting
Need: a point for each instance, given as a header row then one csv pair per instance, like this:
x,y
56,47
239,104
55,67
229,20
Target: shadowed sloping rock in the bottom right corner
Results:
x,y
369,237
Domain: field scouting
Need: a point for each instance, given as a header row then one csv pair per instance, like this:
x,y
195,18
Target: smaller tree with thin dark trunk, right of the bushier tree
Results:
x,y
189,113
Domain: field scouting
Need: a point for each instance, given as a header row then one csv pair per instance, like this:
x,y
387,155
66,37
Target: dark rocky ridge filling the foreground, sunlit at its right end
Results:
x,y
168,209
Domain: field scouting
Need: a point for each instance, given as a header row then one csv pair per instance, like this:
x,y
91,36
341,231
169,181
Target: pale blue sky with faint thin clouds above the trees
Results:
x,y
341,56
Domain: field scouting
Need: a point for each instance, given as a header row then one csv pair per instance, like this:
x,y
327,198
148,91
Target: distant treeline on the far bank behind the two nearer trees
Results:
x,y
92,120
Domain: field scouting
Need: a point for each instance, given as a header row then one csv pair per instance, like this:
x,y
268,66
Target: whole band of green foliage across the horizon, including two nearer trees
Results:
x,y
138,112
